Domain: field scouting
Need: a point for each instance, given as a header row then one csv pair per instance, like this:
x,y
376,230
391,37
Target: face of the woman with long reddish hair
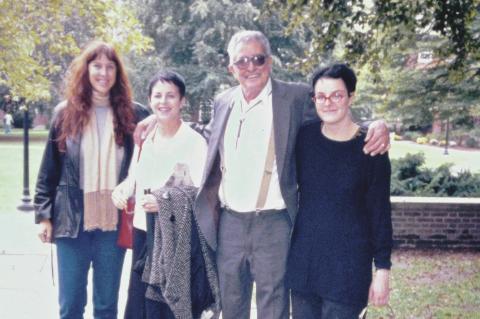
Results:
x,y
102,74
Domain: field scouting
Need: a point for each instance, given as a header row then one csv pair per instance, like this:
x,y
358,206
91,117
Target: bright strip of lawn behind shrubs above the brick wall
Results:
x,y
434,155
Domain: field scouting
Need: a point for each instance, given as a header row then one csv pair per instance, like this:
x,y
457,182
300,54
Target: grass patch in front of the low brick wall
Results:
x,y
433,284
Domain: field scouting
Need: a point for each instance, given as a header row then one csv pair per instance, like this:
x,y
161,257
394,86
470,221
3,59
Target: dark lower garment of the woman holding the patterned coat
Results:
x,y
139,307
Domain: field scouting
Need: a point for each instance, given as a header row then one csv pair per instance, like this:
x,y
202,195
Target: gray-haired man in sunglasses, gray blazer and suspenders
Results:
x,y
248,197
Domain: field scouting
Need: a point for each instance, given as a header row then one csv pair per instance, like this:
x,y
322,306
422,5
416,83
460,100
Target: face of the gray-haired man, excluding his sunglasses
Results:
x,y
252,78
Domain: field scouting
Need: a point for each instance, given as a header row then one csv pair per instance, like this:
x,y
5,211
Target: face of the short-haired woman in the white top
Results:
x,y
166,101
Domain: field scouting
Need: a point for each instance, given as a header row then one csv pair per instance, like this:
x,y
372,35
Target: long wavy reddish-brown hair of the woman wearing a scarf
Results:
x,y
78,93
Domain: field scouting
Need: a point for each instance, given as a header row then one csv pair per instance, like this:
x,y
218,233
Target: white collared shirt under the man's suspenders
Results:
x,y
244,152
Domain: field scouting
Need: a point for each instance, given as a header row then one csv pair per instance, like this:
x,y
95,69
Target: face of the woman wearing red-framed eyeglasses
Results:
x,y
332,100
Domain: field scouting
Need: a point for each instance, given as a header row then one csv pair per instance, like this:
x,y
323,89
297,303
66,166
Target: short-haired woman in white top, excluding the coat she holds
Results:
x,y
170,143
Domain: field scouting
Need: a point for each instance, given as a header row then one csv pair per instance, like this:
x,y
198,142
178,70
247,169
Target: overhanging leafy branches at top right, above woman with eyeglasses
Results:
x,y
370,31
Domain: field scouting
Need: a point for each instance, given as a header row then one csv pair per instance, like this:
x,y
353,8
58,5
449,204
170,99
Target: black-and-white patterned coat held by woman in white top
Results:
x,y
180,268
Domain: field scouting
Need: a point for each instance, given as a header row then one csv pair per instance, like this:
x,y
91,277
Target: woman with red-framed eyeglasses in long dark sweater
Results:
x,y
344,220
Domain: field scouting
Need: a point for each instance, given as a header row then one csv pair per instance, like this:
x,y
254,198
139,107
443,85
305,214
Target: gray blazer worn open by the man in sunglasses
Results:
x,y
292,107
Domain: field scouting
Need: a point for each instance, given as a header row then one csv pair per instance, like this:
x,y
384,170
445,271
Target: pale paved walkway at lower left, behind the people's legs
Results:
x,y
26,287
